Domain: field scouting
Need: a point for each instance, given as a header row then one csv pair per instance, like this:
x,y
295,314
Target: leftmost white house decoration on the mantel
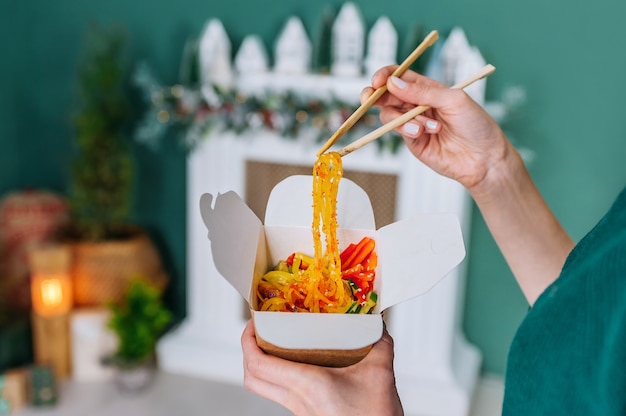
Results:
x,y
214,52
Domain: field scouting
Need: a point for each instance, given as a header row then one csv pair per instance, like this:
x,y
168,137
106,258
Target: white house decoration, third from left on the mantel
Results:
x,y
293,49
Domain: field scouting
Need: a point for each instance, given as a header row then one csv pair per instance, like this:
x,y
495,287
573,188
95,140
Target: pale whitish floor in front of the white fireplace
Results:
x,y
172,394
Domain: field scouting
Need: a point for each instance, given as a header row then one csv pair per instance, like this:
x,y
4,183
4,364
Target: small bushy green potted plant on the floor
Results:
x,y
138,321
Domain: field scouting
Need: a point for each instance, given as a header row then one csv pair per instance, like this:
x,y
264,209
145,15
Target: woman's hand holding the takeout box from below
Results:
x,y
365,388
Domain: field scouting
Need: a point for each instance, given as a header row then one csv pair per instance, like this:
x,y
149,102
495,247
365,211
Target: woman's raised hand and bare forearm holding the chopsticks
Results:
x,y
458,139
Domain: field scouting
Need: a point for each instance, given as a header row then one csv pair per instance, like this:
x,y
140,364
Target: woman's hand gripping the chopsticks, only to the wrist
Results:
x,y
456,137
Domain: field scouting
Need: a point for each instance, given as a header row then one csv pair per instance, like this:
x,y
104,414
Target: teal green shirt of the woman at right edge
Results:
x,y
568,356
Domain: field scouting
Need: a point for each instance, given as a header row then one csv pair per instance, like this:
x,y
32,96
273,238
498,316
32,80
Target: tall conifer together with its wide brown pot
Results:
x,y
108,248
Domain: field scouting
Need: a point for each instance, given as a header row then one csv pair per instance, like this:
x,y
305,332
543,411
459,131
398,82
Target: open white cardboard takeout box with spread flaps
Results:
x,y
413,255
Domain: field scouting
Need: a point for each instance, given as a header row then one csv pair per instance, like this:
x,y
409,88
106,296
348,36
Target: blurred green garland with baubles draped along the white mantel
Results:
x,y
290,115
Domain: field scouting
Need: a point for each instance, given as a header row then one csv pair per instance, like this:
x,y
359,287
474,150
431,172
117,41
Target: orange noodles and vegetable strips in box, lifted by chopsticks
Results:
x,y
305,284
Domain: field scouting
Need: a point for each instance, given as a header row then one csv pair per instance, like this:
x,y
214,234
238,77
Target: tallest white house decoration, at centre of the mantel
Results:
x,y
348,37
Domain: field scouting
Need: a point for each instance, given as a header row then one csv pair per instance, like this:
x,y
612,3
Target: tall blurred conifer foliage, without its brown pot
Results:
x,y
102,173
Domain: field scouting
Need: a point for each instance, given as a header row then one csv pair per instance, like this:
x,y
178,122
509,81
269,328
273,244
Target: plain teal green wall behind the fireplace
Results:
x,y
567,54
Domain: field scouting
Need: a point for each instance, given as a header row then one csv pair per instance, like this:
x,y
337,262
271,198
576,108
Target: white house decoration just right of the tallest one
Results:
x,y
382,44
